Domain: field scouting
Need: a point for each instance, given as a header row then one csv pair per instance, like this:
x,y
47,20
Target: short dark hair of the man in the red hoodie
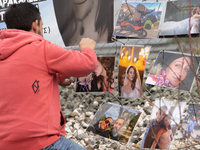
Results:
x,y
21,16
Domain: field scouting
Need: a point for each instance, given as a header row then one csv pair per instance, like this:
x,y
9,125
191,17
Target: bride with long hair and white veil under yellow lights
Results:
x,y
132,83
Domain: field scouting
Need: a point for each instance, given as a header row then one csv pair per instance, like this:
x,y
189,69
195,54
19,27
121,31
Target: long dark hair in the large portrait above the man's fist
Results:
x,y
65,12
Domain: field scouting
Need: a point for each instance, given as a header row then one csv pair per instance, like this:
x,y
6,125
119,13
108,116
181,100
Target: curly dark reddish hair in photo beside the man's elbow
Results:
x,y
108,65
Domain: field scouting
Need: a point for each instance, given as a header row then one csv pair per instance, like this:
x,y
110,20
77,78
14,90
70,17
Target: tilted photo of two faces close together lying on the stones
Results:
x,y
114,122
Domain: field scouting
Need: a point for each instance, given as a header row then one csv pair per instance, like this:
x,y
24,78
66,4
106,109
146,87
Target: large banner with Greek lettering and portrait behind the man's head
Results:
x,y
65,23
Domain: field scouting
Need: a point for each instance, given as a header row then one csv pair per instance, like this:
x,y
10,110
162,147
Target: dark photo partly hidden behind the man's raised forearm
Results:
x,y
101,80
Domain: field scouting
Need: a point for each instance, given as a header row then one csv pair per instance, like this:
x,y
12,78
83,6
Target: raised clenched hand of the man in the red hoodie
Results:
x,y
87,43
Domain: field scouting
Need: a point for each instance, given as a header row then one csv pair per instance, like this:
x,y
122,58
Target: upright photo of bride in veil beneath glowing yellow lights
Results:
x,y
131,69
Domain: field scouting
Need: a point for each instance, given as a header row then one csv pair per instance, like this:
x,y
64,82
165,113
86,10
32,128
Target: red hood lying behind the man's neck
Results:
x,y
11,40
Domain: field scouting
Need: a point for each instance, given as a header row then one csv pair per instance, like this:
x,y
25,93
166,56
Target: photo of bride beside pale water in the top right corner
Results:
x,y
177,16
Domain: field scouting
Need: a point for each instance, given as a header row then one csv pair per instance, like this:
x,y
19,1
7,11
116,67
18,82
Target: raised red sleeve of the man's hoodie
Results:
x,y
69,63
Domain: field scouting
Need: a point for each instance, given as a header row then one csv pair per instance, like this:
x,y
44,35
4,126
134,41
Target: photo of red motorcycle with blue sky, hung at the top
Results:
x,y
138,20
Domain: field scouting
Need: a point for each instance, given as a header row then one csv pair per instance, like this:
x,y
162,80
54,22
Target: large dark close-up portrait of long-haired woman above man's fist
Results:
x,y
84,18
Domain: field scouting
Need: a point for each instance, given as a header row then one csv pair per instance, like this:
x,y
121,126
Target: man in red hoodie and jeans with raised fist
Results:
x,y
30,70
